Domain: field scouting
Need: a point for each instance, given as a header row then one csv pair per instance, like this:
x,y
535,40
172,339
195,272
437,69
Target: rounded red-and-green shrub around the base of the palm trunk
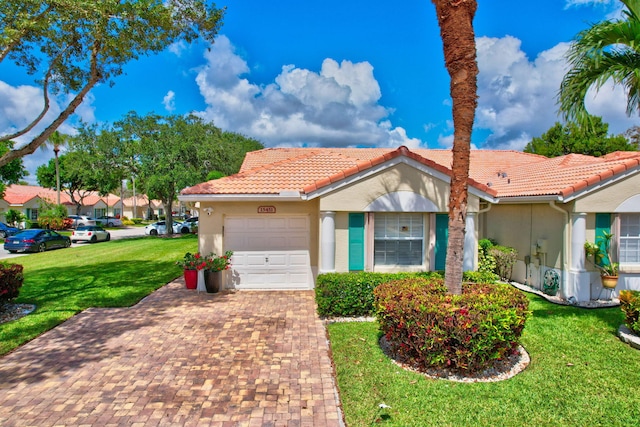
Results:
x,y
428,328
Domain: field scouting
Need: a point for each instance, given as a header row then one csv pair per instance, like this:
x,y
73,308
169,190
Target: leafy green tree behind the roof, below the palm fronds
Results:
x,y
572,138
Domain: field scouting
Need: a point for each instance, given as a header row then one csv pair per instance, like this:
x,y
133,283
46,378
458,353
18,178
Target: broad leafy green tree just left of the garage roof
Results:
x,y
164,154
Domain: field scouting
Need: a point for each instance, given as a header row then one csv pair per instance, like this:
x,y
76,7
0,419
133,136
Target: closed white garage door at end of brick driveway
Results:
x,y
269,252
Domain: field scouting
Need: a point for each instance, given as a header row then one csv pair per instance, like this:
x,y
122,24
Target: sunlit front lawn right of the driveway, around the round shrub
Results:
x,y
580,374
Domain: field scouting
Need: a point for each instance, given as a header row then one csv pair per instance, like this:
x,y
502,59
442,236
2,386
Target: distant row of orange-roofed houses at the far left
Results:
x,y
28,199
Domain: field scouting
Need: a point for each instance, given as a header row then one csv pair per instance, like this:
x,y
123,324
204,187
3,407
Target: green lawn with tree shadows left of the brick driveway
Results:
x,y
64,282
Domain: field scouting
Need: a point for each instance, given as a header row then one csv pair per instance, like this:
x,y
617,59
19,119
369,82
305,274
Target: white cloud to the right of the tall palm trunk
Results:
x,y
517,97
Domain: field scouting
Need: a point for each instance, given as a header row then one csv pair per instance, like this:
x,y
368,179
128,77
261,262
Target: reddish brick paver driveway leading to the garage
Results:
x,y
177,358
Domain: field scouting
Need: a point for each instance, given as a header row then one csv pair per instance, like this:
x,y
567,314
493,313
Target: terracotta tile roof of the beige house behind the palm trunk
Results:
x,y
500,173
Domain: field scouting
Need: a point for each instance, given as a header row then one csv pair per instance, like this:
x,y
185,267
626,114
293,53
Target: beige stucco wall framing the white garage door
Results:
x,y
210,227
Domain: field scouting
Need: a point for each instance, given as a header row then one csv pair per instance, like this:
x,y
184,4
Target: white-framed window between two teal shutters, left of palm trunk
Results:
x,y
398,239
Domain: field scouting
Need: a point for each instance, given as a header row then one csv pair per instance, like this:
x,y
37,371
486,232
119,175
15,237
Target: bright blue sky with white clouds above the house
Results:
x,y
349,73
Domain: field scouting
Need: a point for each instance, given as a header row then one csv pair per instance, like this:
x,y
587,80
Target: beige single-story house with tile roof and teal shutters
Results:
x,y
292,213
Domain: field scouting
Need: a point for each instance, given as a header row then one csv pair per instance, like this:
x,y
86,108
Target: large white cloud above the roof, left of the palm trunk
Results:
x,y
337,106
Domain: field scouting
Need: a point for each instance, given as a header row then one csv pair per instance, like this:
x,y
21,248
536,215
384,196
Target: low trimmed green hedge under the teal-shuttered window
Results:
x,y
351,294
